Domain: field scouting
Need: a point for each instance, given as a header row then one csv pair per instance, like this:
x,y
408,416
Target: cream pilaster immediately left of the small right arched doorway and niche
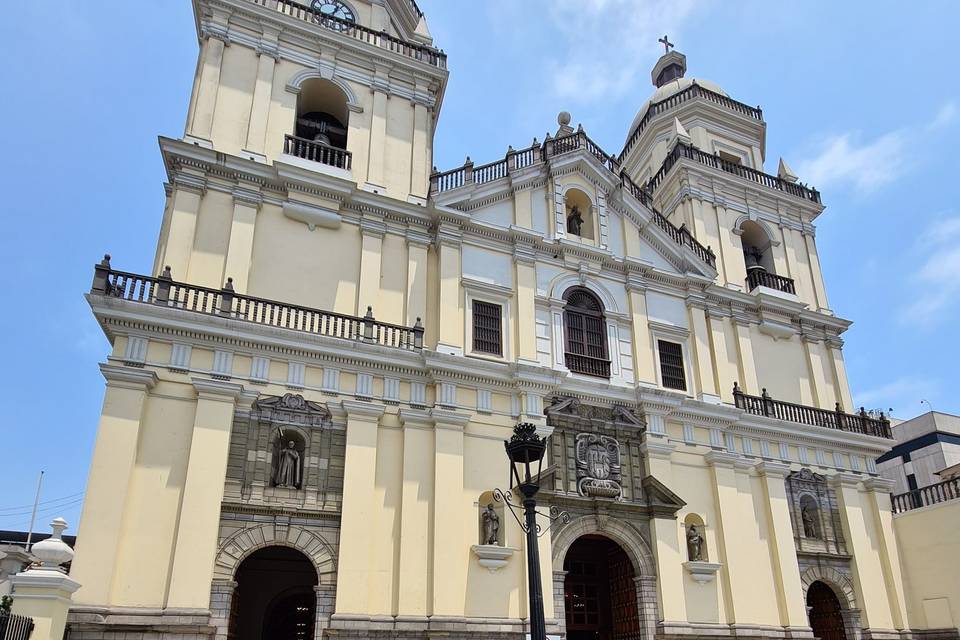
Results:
x,y
783,553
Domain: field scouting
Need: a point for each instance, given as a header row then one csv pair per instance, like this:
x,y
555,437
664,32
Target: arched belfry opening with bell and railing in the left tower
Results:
x,y
320,129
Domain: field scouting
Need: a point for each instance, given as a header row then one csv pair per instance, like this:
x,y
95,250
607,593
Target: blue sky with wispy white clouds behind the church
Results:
x,y
860,98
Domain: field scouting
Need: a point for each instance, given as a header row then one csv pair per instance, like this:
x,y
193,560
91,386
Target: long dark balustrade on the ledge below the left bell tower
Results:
x,y
163,291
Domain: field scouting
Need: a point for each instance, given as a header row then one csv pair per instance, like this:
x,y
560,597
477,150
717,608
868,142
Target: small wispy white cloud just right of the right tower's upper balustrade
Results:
x,y
867,165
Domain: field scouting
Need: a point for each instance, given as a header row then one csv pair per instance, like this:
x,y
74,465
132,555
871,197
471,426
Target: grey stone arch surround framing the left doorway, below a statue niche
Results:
x,y
244,543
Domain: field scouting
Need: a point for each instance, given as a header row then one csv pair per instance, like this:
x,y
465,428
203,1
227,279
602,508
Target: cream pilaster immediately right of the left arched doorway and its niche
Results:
x,y
359,507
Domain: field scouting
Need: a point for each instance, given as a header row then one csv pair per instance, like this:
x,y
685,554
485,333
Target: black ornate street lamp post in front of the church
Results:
x,y
525,449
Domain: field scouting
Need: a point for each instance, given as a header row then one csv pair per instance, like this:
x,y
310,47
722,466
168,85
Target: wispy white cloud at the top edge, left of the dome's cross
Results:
x,y
607,46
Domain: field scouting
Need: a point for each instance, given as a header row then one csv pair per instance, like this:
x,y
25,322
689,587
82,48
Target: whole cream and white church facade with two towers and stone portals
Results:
x,y
306,400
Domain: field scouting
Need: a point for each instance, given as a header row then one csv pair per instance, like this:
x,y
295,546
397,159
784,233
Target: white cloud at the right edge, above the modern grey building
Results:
x,y
937,279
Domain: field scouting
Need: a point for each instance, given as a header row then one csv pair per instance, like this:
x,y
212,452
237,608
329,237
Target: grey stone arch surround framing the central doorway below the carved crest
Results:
x,y
634,547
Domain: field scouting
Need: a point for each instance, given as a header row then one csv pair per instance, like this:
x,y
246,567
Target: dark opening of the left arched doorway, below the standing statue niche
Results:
x,y
275,596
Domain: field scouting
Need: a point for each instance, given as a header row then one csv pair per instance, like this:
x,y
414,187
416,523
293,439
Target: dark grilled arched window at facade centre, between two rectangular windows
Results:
x,y
586,334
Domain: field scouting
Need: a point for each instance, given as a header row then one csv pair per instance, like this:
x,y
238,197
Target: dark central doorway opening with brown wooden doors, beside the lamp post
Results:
x,y
600,593
